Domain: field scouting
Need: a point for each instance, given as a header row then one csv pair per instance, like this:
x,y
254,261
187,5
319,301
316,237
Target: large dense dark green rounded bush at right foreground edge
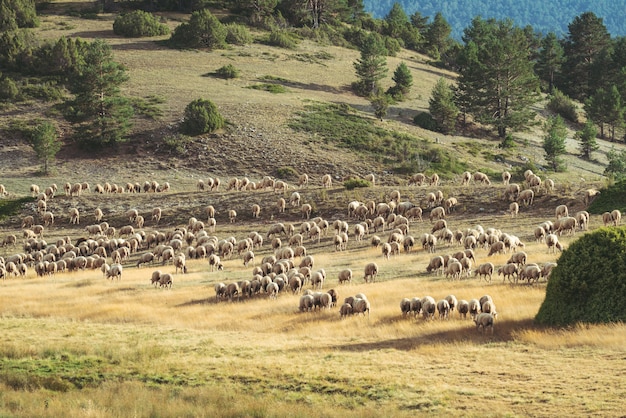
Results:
x,y
589,283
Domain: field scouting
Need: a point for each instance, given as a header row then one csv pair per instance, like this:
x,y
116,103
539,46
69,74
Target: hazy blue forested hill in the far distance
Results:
x,y
544,16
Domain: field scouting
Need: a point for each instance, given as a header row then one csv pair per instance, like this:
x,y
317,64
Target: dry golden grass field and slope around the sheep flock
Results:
x,y
78,345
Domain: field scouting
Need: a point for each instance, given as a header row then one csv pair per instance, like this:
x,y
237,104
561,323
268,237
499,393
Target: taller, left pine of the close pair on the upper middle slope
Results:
x,y
372,66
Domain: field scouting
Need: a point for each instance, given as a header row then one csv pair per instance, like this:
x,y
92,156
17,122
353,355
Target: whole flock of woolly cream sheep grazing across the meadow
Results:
x,y
108,248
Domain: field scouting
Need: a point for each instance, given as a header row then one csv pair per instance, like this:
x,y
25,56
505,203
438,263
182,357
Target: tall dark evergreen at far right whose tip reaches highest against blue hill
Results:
x,y
586,39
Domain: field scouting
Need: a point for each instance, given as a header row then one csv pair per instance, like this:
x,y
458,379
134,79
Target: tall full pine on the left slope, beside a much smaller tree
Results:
x,y
101,113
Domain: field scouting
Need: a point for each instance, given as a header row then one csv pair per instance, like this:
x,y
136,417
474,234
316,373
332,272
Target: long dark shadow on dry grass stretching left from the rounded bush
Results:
x,y
504,331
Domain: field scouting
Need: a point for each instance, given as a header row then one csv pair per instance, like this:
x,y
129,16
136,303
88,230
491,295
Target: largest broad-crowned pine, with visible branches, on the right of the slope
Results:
x,y
496,80
